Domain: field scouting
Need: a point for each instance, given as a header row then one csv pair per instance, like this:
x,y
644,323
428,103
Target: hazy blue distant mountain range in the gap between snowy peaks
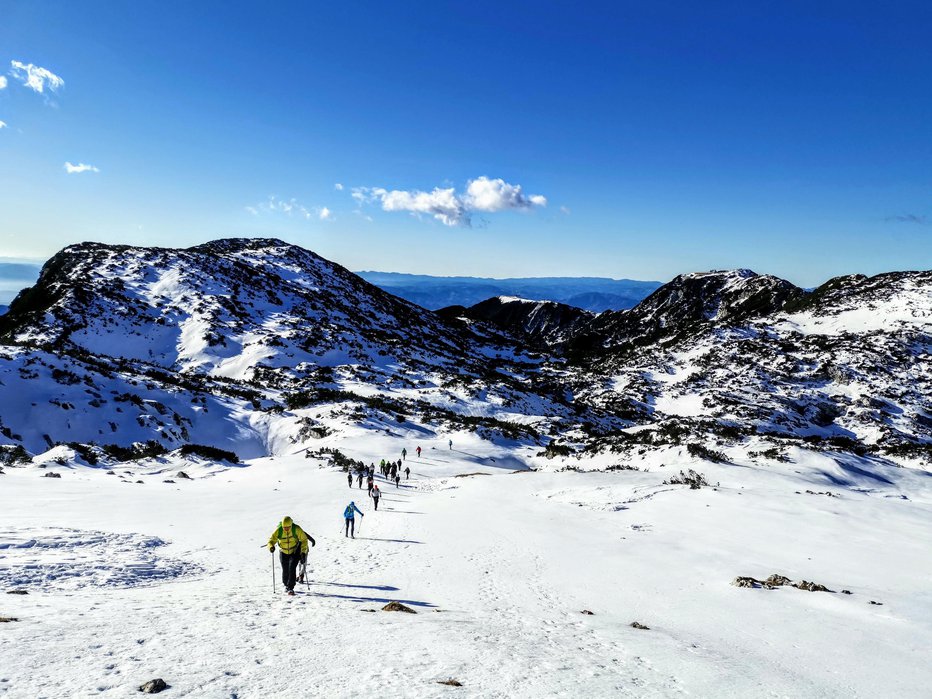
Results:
x,y
589,293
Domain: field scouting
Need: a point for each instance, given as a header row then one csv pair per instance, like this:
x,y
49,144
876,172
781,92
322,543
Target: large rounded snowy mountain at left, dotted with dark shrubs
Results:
x,y
218,343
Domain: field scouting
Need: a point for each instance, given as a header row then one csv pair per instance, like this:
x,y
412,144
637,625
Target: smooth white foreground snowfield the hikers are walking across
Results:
x,y
499,568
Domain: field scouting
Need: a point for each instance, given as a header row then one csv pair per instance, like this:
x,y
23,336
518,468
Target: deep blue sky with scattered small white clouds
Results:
x,y
635,140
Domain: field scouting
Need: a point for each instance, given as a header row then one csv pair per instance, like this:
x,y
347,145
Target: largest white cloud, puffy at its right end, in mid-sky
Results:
x,y
449,207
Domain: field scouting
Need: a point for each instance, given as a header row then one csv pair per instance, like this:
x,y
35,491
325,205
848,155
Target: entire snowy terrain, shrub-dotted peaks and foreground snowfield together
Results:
x,y
728,434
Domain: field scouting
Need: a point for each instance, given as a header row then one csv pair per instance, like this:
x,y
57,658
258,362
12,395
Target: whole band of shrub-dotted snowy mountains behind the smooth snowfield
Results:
x,y
258,346
